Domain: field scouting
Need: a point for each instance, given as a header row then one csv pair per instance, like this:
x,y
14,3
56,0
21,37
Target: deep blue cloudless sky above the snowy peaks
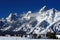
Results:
x,y
20,6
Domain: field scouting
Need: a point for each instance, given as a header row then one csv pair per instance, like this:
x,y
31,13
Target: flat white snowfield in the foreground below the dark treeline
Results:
x,y
19,38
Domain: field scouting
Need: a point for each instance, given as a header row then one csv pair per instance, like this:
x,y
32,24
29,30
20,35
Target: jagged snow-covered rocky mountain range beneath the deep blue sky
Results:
x,y
39,22
